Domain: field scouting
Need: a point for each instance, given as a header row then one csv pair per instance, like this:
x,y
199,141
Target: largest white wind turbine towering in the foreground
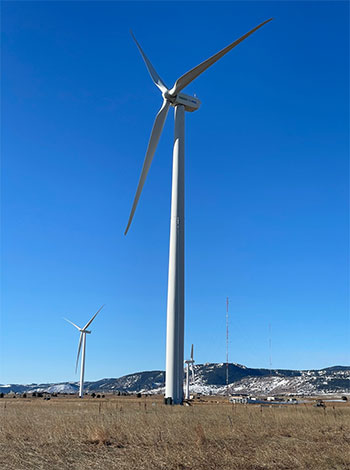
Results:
x,y
175,305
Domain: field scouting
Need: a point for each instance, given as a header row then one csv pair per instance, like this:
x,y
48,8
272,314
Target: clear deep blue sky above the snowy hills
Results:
x,y
266,185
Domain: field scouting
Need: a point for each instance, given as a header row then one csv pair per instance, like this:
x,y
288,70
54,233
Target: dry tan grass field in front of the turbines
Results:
x,y
125,433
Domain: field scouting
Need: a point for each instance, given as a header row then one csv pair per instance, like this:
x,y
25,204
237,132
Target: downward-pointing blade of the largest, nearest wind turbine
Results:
x,y
152,145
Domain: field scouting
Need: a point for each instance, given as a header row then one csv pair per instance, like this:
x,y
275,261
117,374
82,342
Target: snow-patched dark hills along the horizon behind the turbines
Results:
x,y
210,378
